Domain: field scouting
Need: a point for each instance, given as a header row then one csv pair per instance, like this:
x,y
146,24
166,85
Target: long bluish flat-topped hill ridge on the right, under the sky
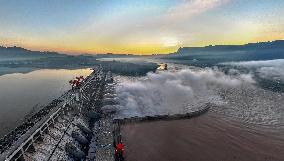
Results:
x,y
213,54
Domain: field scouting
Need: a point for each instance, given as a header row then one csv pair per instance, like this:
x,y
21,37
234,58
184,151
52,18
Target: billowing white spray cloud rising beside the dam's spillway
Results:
x,y
174,92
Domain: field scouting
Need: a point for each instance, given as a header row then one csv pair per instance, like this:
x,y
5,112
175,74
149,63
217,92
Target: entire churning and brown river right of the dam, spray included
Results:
x,y
246,122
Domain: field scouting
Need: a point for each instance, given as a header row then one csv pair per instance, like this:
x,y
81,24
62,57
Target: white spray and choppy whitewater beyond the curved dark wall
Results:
x,y
184,89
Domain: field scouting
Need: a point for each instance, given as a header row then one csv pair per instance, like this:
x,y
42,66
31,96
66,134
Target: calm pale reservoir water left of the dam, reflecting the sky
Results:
x,y
21,94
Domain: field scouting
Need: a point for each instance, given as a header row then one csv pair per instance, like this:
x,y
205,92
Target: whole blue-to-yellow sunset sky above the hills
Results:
x,y
137,27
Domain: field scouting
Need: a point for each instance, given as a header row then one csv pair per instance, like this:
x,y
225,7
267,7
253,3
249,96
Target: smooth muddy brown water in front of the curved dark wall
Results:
x,y
210,137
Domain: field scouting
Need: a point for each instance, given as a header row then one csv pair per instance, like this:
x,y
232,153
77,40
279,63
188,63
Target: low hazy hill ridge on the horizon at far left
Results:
x,y
7,53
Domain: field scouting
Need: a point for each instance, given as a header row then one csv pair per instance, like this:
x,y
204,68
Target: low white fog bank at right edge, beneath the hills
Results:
x,y
268,69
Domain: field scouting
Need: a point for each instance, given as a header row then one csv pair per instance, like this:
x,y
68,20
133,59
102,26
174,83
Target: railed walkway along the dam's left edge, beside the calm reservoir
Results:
x,y
15,144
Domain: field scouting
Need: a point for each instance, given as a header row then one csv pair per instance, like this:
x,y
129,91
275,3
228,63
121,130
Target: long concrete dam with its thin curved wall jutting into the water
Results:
x,y
80,125
